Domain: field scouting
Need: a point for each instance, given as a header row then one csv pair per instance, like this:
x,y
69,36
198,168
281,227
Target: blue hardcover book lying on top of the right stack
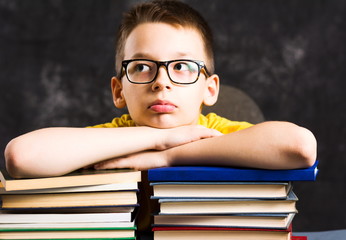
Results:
x,y
219,174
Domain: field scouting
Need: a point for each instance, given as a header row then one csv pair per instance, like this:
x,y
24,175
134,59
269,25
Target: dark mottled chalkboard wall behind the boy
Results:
x,y
56,60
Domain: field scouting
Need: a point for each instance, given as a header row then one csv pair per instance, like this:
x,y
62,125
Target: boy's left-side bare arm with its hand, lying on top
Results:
x,y
57,151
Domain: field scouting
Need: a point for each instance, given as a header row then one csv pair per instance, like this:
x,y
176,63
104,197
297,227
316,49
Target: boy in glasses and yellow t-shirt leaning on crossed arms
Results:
x,y
165,73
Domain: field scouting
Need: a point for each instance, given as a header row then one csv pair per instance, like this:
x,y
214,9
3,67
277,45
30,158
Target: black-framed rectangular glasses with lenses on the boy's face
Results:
x,y
181,71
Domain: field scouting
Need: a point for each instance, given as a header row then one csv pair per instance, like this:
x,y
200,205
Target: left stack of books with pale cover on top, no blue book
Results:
x,y
85,204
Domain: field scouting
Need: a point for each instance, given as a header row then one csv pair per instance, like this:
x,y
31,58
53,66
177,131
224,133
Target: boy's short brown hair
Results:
x,y
165,11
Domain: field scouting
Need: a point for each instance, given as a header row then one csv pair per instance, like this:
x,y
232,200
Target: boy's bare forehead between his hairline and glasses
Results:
x,y
161,41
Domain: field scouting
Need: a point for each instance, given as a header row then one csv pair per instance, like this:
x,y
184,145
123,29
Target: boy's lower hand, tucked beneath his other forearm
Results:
x,y
138,161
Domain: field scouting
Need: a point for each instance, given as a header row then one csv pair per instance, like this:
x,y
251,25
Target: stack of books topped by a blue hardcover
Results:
x,y
225,203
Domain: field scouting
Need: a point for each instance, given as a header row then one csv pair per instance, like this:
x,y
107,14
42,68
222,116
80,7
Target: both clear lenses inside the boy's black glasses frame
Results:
x,y
142,71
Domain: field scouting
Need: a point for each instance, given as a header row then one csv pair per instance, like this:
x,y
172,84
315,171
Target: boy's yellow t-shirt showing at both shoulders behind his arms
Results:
x,y
211,120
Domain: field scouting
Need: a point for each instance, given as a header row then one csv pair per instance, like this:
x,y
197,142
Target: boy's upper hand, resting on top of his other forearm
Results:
x,y
184,134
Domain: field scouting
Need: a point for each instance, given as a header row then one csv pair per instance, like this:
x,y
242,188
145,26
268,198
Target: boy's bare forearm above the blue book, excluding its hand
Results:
x,y
270,145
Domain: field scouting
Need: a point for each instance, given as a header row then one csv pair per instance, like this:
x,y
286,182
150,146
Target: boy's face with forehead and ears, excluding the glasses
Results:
x,y
162,103
